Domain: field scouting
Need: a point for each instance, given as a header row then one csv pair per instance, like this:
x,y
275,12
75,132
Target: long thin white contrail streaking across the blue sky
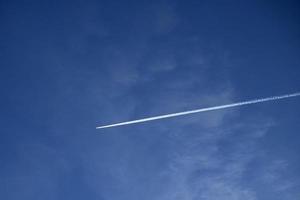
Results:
x,y
254,101
